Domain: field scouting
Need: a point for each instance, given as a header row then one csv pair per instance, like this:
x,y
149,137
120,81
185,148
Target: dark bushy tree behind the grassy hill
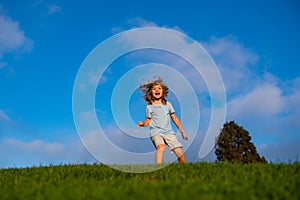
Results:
x,y
234,144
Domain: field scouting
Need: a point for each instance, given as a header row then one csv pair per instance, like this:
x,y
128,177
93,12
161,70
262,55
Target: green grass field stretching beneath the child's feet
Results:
x,y
176,181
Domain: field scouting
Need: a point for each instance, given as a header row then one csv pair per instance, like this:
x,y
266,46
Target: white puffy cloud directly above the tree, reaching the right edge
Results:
x,y
270,98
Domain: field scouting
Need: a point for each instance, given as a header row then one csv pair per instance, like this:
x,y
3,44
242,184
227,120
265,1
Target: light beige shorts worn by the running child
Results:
x,y
170,140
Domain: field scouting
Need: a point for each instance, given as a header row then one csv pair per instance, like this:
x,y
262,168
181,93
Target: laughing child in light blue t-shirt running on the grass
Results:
x,y
158,113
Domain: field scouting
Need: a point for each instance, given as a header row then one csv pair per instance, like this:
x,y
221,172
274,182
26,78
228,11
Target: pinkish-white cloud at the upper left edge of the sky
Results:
x,y
12,37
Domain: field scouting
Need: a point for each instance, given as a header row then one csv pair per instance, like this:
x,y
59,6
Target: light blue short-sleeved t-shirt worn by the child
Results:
x,y
160,118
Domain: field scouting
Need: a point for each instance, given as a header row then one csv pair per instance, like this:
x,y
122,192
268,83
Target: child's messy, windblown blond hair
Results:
x,y
147,90
